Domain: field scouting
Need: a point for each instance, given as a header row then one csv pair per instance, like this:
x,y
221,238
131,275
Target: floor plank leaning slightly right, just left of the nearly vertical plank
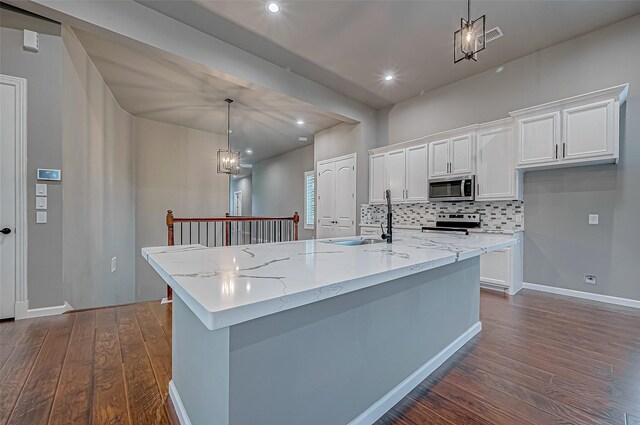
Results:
x,y
72,403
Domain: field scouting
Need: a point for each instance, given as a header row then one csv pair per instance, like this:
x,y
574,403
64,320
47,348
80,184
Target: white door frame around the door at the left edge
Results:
x,y
21,301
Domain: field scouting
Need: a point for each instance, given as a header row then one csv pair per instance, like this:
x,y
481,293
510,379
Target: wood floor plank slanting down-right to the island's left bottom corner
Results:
x,y
144,399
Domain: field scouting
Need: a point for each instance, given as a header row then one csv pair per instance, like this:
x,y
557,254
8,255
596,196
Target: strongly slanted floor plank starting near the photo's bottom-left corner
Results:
x,y
34,403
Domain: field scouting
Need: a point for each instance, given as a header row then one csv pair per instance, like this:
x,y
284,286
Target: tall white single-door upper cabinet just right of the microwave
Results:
x,y
495,172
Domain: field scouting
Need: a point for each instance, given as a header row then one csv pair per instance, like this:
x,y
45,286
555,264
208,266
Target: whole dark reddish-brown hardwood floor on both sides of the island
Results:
x,y
540,359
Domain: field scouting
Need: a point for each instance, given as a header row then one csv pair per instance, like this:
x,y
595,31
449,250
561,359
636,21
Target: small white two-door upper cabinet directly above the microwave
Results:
x,y
451,157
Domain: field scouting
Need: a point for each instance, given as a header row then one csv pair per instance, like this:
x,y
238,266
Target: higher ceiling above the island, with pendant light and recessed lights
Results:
x,y
358,42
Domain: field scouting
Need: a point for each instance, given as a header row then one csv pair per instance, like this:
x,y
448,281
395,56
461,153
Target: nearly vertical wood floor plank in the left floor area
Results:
x,y
109,401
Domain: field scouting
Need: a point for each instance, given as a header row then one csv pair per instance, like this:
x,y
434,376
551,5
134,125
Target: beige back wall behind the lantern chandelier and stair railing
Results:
x,y
175,170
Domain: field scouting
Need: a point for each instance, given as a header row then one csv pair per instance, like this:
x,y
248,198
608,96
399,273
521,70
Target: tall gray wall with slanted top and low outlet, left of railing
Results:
x,y
99,190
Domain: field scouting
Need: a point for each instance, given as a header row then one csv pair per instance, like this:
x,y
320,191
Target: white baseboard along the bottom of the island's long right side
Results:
x,y
389,400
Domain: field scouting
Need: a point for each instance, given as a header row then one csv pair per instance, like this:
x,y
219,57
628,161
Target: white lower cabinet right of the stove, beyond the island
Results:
x,y
502,269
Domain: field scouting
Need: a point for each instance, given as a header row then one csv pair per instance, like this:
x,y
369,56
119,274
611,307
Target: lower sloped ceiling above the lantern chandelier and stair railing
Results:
x,y
152,85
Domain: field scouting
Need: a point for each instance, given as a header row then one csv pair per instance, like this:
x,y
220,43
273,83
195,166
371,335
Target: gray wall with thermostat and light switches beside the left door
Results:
x,y
44,146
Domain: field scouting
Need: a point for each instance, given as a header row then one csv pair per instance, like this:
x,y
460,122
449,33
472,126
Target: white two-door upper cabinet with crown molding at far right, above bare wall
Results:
x,y
582,130
